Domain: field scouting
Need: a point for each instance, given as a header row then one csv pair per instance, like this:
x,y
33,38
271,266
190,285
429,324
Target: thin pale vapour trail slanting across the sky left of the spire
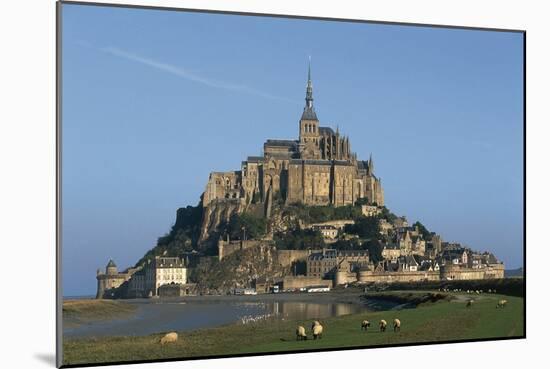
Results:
x,y
191,76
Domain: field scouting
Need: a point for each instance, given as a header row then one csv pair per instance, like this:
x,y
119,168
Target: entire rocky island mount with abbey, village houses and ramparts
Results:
x,y
306,215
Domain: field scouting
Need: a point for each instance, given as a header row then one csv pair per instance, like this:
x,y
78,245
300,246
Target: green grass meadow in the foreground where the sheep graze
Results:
x,y
443,320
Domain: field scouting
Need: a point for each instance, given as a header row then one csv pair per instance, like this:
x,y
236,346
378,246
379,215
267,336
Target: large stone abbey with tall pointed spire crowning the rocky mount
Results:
x,y
317,169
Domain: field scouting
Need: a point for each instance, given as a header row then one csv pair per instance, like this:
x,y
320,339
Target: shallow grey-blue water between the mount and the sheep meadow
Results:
x,y
155,316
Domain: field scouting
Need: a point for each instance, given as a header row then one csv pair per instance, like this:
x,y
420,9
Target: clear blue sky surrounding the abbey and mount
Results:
x,y
154,100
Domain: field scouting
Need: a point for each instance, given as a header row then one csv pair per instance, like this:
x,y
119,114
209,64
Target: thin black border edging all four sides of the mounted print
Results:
x,y
59,297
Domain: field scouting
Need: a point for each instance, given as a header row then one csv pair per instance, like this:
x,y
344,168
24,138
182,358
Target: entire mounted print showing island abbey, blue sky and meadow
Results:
x,y
222,197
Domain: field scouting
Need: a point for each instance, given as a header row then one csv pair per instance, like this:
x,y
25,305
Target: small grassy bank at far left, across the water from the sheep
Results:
x,y
77,312
